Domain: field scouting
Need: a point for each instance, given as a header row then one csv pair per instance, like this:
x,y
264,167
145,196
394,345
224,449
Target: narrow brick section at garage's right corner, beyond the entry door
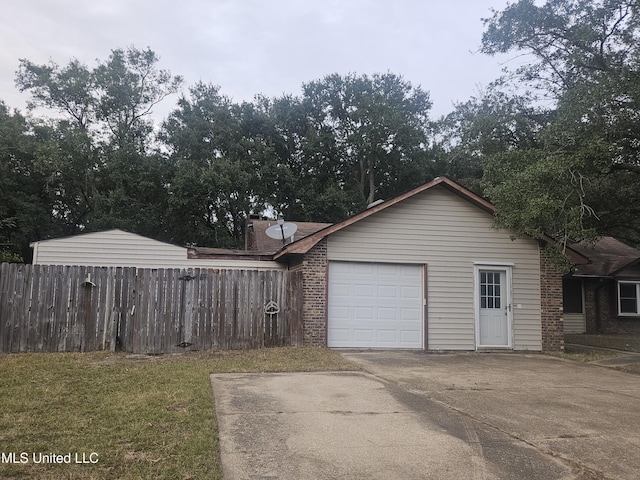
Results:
x,y
551,305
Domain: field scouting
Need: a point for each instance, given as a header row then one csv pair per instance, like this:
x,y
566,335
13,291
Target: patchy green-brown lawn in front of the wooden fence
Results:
x,y
144,417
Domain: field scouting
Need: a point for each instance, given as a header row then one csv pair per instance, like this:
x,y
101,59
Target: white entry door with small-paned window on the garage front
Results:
x,y
493,307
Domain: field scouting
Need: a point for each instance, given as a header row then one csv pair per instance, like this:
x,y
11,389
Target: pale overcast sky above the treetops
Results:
x,y
269,47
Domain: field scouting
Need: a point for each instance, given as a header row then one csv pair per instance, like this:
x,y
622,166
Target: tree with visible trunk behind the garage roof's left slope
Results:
x,y
371,132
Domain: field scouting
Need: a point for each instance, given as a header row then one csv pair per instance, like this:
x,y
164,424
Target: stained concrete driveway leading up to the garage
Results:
x,y
413,415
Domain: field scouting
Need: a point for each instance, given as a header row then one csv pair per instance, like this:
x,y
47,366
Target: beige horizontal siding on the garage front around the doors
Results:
x,y
449,234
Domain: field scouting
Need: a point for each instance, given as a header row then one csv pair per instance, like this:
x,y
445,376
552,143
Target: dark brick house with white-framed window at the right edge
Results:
x,y
603,296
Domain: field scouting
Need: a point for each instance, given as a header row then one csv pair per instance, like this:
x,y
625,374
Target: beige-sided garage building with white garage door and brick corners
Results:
x,y
427,270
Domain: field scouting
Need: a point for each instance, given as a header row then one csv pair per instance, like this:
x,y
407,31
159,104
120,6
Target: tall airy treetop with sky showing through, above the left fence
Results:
x,y
114,100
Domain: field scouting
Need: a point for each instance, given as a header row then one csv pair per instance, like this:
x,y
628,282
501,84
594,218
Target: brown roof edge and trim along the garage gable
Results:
x,y
305,244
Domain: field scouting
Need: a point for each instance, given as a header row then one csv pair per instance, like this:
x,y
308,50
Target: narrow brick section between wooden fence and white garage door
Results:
x,y
314,303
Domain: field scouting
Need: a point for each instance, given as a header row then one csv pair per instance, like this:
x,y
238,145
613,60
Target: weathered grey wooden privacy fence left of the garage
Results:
x,y
62,308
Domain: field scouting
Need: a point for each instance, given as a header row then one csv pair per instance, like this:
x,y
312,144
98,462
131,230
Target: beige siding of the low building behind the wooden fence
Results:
x,y
117,248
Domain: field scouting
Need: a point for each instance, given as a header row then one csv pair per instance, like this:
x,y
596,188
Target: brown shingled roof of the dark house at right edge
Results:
x,y
607,256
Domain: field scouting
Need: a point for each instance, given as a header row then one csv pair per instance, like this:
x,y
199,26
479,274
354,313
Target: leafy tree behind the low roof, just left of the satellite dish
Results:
x,y
215,154
